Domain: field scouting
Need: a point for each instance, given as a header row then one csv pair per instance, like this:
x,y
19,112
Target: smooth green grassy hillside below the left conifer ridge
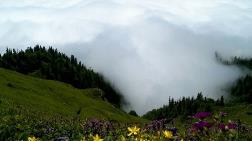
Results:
x,y
51,98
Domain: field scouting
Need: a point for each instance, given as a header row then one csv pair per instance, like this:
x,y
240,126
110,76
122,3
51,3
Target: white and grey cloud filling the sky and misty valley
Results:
x,y
149,49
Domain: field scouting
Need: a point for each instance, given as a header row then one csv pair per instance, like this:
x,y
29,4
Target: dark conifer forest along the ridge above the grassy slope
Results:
x,y
51,64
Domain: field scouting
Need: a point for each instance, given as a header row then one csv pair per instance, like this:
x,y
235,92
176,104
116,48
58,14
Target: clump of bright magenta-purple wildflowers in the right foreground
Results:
x,y
215,128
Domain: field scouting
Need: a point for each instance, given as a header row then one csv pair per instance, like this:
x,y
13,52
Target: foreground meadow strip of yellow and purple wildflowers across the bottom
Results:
x,y
202,126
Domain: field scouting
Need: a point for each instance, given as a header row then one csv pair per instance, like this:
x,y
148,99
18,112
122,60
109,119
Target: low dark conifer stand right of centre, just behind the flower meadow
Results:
x,y
183,107
